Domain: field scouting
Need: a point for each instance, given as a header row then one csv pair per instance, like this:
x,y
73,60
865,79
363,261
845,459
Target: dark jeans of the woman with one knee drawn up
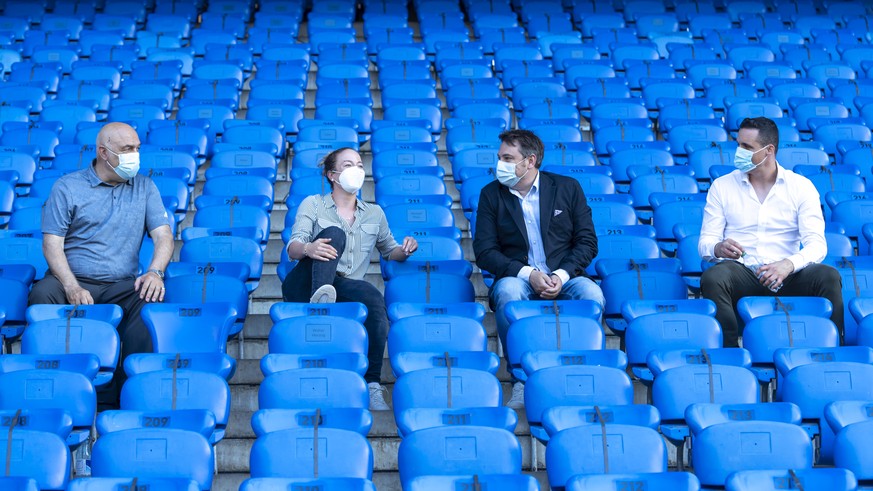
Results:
x,y
309,275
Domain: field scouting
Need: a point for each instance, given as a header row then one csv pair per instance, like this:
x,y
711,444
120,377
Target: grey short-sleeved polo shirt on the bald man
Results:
x,y
103,225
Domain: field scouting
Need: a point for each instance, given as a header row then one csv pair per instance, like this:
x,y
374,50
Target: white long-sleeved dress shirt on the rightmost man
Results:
x,y
790,216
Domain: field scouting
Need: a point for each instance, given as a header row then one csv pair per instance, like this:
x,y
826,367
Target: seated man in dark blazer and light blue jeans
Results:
x,y
534,232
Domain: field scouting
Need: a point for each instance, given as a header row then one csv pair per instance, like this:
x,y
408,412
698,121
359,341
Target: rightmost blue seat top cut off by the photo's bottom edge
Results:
x,y
772,480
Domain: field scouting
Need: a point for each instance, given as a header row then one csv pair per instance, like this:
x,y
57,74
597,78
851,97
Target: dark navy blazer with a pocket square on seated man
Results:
x,y
566,227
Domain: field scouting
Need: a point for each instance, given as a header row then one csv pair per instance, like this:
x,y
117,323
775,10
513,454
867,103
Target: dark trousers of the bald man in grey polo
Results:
x,y
132,330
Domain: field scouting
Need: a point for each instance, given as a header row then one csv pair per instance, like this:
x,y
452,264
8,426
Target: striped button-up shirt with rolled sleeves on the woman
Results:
x,y
370,231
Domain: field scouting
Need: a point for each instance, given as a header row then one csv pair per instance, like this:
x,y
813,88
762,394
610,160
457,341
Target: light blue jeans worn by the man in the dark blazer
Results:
x,y
511,288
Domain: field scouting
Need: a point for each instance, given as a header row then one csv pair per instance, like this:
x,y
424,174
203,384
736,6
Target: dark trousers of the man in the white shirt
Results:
x,y
727,282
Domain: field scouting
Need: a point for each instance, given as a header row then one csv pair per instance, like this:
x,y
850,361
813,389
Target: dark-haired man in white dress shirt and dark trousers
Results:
x,y
755,221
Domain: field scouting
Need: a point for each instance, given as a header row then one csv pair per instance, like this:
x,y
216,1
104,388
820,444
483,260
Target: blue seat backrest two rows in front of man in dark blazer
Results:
x,y
575,385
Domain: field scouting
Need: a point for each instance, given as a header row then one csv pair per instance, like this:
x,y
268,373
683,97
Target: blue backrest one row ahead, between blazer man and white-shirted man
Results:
x,y
663,331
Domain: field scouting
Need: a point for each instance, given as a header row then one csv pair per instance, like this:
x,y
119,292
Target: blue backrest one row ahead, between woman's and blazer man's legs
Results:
x,y
436,333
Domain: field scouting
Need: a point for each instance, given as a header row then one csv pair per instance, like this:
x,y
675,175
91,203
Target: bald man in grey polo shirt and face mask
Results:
x,y
93,225
